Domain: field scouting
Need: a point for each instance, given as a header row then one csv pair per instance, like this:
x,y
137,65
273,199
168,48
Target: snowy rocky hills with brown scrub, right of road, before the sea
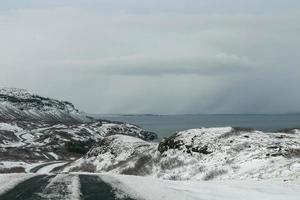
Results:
x,y
200,154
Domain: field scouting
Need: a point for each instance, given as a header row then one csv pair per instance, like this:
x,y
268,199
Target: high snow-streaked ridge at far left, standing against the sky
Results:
x,y
19,104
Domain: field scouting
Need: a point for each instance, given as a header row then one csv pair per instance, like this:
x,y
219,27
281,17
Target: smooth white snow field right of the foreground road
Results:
x,y
155,189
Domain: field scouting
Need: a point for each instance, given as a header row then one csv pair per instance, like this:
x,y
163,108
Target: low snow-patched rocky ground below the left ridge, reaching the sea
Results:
x,y
21,140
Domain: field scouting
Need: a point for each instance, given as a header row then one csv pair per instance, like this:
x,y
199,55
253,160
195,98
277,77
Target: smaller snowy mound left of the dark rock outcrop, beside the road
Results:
x,y
117,154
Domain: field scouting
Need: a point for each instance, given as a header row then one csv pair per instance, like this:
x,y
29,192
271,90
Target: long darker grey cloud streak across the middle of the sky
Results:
x,y
151,66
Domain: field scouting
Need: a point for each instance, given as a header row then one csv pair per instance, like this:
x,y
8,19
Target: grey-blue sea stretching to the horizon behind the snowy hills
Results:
x,y
166,125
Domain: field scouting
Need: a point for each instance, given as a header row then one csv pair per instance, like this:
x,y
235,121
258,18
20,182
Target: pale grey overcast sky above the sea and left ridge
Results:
x,y
158,56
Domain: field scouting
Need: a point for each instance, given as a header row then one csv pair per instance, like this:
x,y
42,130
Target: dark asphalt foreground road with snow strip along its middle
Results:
x,y
61,187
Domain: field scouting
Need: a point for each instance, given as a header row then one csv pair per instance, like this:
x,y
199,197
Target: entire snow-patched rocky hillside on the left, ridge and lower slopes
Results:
x,y
35,128
